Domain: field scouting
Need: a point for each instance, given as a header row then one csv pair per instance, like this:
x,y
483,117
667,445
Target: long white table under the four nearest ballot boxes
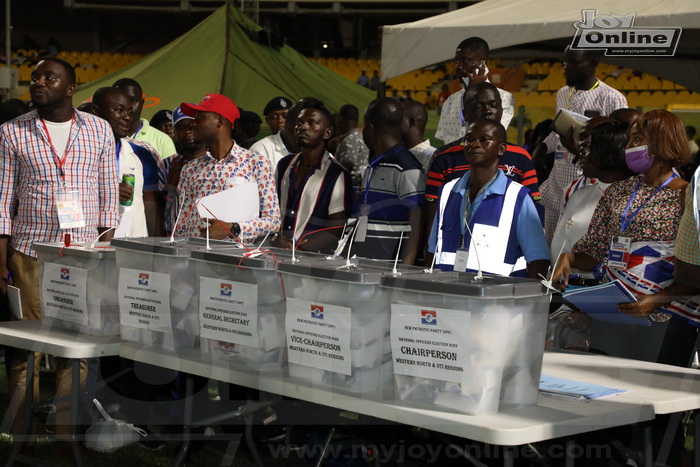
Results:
x,y
551,418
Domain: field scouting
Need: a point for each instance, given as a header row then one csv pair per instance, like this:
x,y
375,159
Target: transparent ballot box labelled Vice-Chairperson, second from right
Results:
x,y
337,323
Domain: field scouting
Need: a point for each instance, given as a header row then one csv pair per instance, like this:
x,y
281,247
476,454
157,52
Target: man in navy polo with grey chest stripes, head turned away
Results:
x,y
392,189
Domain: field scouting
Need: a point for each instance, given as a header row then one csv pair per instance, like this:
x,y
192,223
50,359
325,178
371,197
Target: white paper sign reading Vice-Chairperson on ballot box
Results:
x,y
318,335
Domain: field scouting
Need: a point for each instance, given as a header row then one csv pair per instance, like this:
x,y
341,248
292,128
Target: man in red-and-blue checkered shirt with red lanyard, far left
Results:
x,y
53,149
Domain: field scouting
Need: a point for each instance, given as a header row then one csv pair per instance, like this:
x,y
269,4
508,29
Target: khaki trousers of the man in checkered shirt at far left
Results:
x,y
25,272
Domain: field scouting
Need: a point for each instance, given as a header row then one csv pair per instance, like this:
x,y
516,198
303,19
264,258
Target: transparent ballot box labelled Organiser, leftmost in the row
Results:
x,y
78,287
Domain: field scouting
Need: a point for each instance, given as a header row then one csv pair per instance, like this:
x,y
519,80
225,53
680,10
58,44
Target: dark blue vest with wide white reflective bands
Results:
x,y
494,225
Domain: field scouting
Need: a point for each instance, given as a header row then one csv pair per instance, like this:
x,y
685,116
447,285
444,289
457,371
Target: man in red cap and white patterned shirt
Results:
x,y
217,170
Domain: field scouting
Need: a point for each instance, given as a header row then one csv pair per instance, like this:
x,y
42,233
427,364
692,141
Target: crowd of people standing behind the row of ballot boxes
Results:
x,y
616,199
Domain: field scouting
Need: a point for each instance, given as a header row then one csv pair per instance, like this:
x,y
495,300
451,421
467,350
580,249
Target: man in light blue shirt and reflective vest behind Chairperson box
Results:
x,y
504,227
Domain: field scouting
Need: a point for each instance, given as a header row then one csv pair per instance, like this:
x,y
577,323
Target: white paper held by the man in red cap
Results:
x,y
236,204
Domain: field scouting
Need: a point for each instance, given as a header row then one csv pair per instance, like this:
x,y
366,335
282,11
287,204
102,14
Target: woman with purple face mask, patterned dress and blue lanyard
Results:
x,y
631,238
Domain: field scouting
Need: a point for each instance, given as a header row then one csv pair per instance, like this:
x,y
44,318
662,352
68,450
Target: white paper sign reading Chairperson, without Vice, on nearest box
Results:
x,y
429,342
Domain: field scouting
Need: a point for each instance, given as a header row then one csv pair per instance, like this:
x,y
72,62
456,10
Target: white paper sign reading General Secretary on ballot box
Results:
x,y
228,311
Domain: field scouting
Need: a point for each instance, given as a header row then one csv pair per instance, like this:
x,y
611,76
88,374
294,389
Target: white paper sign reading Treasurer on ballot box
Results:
x,y
144,300
